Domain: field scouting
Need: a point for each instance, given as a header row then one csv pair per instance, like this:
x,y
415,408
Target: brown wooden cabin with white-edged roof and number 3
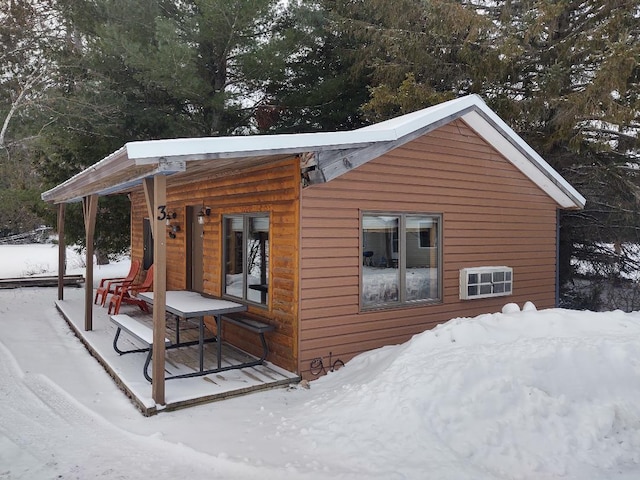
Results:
x,y
346,241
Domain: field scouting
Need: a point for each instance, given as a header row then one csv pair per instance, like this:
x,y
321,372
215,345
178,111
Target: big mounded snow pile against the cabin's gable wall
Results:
x,y
507,395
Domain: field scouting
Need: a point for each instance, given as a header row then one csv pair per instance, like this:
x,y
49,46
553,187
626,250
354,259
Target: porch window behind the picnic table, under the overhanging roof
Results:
x,y
246,257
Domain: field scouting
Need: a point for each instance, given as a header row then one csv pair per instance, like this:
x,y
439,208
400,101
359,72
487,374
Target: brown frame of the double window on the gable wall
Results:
x,y
402,302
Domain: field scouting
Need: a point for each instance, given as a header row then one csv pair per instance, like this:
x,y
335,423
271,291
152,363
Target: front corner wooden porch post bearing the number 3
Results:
x,y
157,221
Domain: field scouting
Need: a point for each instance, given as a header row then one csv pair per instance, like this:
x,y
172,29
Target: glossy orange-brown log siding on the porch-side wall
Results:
x,y
273,189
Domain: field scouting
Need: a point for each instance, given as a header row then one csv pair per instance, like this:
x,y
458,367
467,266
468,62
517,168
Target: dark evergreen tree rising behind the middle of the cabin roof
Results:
x,y
319,86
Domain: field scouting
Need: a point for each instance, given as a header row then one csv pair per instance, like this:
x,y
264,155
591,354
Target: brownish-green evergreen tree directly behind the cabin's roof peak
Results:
x,y
418,53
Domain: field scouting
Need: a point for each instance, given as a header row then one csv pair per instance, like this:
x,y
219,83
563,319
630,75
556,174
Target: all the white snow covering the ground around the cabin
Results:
x,y
509,395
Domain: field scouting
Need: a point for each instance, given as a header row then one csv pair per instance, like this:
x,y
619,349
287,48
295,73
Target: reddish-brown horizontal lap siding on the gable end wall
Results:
x,y
492,215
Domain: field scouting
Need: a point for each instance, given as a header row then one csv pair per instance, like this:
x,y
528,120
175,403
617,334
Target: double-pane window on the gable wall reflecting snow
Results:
x,y
401,259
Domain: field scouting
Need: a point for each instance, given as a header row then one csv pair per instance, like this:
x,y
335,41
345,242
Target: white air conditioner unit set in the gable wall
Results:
x,y
482,282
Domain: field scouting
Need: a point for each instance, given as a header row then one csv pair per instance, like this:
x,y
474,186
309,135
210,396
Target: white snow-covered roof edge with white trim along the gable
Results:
x,y
471,108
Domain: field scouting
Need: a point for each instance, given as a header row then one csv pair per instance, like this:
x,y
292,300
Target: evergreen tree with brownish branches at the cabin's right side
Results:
x,y
568,82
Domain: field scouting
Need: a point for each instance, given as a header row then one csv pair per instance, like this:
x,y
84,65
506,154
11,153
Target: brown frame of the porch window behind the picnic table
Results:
x,y
245,271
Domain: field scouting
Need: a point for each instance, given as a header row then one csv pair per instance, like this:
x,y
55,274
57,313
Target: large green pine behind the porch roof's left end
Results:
x,y
148,69
